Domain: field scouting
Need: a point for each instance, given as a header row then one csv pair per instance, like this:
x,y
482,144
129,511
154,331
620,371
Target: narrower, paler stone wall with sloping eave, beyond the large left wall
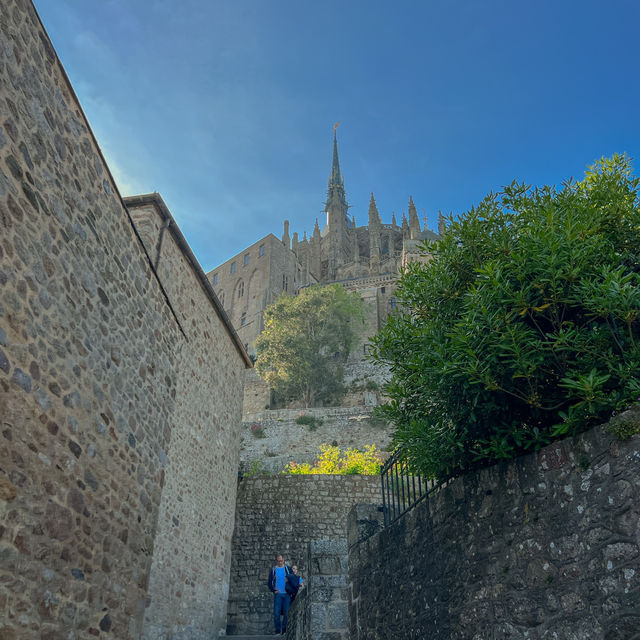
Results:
x,y
189,582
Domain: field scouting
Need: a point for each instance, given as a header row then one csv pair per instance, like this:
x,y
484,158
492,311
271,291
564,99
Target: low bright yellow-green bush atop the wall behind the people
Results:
x,y
332,461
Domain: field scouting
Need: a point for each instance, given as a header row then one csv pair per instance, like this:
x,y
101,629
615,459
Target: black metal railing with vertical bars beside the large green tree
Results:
x,y
402,487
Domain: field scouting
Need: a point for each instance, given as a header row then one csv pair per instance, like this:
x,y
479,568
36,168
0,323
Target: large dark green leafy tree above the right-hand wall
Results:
x,y
523,328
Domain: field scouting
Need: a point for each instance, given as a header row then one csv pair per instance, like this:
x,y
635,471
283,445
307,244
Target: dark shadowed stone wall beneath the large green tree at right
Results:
x,y
546,546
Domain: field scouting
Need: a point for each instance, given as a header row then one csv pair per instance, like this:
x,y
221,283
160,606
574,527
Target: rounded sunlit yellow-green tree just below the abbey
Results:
x,y
305,342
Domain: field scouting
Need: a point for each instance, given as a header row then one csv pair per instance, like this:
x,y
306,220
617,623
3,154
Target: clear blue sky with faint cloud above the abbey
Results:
x,y
227,108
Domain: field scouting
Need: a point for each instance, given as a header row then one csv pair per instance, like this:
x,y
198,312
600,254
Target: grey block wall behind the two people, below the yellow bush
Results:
x,y
282,514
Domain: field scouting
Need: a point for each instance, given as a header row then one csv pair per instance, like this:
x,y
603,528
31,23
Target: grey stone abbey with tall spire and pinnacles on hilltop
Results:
x,y
366,259
